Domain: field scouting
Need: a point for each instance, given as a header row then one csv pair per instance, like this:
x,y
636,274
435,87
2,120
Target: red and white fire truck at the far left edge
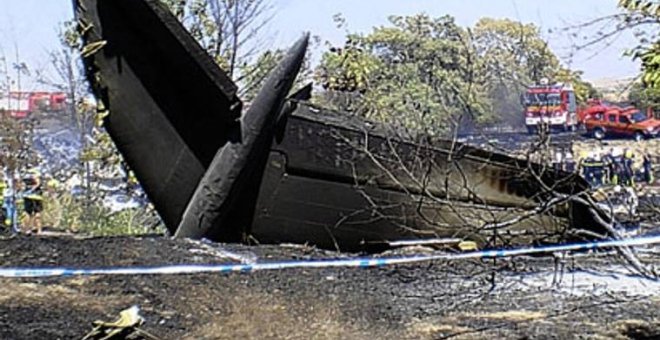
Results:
x,y
22,104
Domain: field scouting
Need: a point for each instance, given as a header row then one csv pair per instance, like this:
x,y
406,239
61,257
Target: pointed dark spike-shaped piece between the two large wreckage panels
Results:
x,y
239,164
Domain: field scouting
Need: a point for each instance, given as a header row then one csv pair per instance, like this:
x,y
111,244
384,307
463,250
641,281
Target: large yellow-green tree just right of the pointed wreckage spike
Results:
x,y
420,72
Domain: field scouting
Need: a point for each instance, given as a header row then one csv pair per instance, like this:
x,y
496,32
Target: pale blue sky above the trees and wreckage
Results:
x,y
28,28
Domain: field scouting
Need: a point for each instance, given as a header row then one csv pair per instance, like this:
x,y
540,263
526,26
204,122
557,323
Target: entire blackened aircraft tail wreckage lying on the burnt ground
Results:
x,y
284,170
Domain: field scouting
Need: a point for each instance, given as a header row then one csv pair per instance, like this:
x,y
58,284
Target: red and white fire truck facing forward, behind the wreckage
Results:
x,y
550,105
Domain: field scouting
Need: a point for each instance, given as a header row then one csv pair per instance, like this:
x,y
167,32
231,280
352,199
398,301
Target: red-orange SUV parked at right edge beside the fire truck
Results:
x,y
622,122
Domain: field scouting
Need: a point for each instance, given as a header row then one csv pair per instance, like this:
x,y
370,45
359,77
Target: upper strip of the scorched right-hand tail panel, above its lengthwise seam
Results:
x,y
318,145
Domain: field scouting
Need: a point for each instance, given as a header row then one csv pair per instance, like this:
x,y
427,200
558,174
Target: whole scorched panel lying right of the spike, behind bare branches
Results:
x,y
320,187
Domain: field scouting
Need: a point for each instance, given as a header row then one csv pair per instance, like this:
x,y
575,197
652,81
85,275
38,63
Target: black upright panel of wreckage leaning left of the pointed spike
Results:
x,y
170,106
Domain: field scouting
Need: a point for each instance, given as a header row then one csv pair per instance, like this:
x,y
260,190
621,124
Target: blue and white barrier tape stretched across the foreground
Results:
x,y
363,262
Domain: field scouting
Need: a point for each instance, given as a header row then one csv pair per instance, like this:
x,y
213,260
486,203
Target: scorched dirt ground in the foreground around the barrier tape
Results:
x,y
437,300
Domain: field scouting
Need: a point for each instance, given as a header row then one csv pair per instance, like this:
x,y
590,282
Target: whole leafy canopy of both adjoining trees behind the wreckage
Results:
x,y
430,73
